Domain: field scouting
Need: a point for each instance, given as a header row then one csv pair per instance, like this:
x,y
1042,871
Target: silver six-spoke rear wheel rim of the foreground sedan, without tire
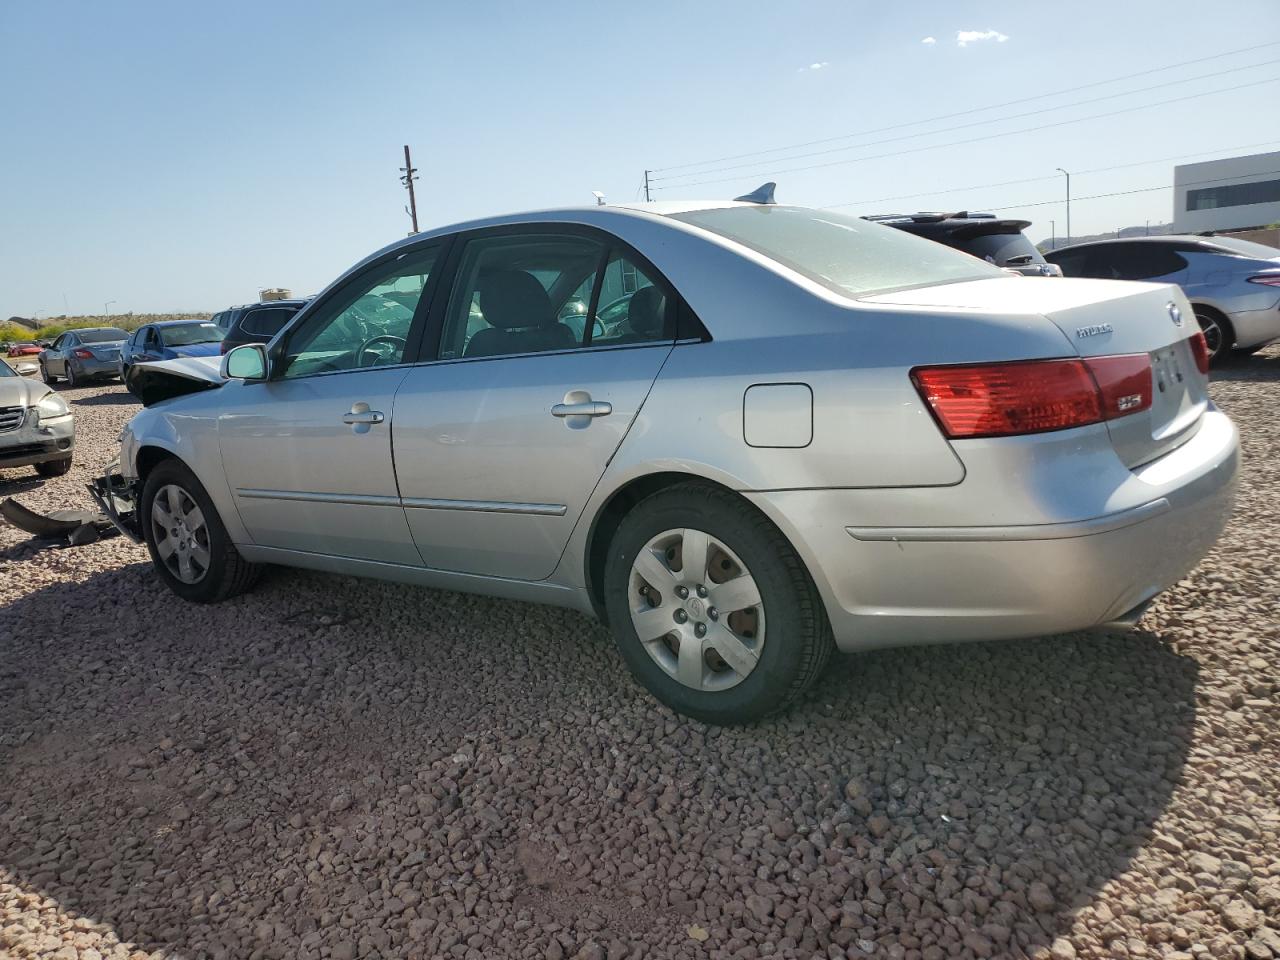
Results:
x,y
697,610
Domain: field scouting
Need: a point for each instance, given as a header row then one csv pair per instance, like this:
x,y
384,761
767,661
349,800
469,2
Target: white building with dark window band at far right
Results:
x,y
1237,194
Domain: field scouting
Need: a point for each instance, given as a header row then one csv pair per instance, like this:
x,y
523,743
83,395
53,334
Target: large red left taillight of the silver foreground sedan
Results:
x,y
1030,397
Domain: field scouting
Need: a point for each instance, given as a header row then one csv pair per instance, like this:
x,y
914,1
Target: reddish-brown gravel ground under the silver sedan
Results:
x,y
341,769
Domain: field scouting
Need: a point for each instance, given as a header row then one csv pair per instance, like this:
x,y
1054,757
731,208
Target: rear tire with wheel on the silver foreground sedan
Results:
x,y
775,650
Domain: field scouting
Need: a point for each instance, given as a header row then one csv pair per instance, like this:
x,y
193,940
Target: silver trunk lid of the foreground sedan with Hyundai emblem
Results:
x,y
1104,318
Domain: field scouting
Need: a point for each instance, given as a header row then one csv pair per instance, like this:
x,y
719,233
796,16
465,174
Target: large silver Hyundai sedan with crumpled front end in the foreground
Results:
x,y
812,432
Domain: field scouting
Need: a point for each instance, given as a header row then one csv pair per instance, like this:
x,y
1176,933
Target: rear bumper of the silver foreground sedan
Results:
x,y
904,586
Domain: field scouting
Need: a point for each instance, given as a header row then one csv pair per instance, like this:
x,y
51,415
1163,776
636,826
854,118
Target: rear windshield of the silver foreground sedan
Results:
x,y
845,254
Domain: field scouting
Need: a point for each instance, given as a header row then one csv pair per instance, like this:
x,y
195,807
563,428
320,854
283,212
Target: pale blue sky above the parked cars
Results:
x,y
182,157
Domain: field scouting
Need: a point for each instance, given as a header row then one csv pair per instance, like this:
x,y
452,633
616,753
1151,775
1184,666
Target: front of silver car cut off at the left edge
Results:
x,y
36,426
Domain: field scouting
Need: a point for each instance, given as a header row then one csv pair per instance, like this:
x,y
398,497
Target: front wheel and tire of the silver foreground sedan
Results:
x,y
211,574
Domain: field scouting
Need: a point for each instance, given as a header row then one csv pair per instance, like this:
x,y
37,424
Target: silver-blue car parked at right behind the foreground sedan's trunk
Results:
x,y
1233,285
